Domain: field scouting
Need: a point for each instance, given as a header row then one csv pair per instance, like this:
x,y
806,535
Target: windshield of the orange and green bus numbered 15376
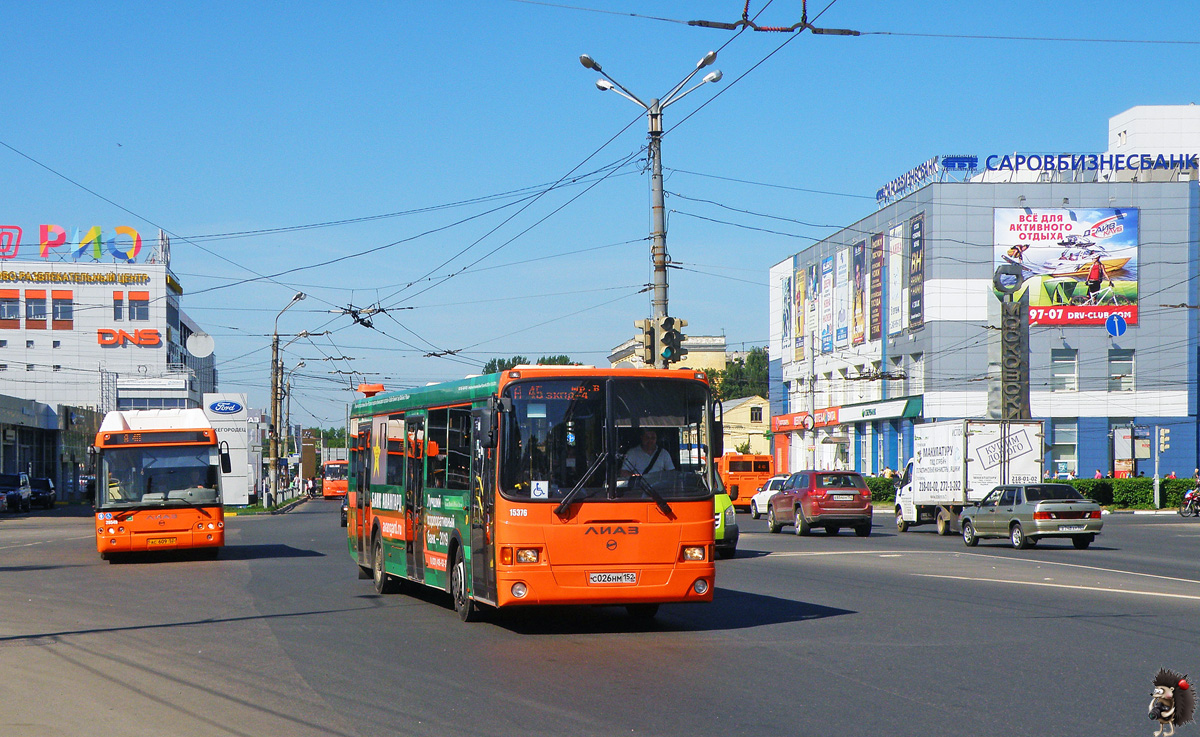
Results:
x,y
613,440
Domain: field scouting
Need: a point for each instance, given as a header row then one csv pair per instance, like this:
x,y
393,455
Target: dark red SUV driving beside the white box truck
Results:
x,y
823,499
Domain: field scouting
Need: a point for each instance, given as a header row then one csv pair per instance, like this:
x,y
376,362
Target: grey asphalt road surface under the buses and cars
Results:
x,y
896,634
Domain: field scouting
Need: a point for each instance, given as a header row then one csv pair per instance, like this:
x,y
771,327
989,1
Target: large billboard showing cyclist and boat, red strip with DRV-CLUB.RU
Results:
x,y
1081,266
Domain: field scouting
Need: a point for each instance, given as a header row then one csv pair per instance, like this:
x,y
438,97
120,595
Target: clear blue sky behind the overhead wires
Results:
x,y
221,118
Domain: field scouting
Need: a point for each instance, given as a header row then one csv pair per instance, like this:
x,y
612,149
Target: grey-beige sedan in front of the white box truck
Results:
x,y
1029,513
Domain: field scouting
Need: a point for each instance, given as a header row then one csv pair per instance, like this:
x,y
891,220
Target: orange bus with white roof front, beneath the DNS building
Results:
x,y
159,477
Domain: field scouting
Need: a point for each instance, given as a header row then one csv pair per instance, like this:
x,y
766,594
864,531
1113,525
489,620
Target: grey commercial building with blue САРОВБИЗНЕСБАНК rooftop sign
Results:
x,y
893,321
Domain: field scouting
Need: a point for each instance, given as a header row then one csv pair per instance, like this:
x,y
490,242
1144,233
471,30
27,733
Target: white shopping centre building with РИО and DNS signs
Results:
x,y
80,337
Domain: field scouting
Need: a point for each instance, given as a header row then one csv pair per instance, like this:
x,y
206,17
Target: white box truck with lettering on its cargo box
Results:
x,y
957,463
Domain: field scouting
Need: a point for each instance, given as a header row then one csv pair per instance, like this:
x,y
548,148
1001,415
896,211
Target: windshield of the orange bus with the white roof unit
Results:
x,y
159,476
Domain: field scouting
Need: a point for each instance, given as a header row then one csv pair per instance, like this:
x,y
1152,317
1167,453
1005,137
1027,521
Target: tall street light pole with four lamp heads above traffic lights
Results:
x,y
658,206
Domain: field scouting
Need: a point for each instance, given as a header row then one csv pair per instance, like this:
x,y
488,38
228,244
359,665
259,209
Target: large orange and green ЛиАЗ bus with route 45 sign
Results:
x,y
539,486
